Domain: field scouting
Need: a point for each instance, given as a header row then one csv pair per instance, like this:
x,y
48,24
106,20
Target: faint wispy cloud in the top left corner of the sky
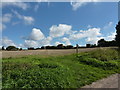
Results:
x,y
21,5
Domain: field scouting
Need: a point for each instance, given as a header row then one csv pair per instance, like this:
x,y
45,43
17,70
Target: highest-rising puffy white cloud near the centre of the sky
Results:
x,y
60,30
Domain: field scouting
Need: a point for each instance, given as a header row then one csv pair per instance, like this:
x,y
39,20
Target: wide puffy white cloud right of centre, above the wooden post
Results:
x,y
91,35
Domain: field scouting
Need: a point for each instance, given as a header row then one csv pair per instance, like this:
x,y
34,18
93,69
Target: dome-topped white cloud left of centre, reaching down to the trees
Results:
x,y
37,39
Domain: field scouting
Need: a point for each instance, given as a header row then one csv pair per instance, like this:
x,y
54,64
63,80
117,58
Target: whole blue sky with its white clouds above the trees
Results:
x,y
36,24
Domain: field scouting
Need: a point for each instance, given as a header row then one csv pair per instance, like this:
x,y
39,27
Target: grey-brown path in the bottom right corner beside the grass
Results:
x,y
109,82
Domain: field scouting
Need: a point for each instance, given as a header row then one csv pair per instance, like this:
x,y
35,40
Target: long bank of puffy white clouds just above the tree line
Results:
x,y
38,39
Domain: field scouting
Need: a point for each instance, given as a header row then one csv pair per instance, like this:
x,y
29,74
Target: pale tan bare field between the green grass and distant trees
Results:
x,y
7,54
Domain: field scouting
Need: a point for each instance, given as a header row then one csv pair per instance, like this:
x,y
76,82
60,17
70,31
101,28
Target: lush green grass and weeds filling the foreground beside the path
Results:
x,y
69,71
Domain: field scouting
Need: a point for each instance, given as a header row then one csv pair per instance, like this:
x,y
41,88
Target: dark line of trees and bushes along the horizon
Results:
x,y
101,43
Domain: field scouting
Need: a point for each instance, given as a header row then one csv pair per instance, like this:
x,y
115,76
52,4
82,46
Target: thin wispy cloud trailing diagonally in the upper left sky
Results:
x,y
28,20
